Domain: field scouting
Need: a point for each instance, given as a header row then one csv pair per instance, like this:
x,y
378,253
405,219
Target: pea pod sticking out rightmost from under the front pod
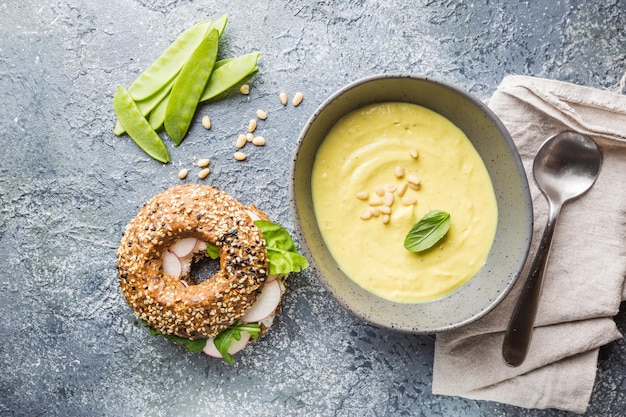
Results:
x,y
229,72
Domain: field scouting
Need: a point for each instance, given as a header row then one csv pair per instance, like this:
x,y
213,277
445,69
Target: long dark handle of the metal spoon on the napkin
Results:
x,y
519,331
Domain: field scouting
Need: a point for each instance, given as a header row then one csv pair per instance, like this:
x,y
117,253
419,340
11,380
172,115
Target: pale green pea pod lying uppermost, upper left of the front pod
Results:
x,y
169,63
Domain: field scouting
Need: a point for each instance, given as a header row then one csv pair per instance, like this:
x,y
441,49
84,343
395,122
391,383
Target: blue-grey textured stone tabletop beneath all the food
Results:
x,y
70,346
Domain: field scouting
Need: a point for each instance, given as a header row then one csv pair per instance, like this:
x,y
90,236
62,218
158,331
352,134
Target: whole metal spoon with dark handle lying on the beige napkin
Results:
x,y
565,167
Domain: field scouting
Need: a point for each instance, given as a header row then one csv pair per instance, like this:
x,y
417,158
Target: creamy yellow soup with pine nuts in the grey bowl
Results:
x,y
379,171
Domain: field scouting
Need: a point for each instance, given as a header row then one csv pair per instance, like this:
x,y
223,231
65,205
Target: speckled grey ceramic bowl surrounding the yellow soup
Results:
x,y
491,139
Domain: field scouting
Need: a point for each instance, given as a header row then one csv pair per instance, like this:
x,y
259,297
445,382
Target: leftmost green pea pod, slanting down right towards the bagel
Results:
x,y
138,127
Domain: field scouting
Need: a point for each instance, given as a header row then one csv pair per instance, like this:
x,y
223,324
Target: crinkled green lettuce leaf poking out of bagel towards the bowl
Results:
x,y
282,253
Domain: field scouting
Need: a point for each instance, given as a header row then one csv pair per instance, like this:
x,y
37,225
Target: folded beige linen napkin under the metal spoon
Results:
x,y
584,282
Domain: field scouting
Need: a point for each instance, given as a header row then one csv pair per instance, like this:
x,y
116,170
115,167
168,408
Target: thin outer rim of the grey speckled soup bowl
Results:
x,y
520,171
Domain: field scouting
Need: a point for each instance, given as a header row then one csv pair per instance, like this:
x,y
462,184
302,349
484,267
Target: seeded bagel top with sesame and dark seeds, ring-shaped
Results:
x,y
205,309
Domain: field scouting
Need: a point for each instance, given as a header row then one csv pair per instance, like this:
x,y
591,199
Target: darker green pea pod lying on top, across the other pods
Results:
x,y
188,88
